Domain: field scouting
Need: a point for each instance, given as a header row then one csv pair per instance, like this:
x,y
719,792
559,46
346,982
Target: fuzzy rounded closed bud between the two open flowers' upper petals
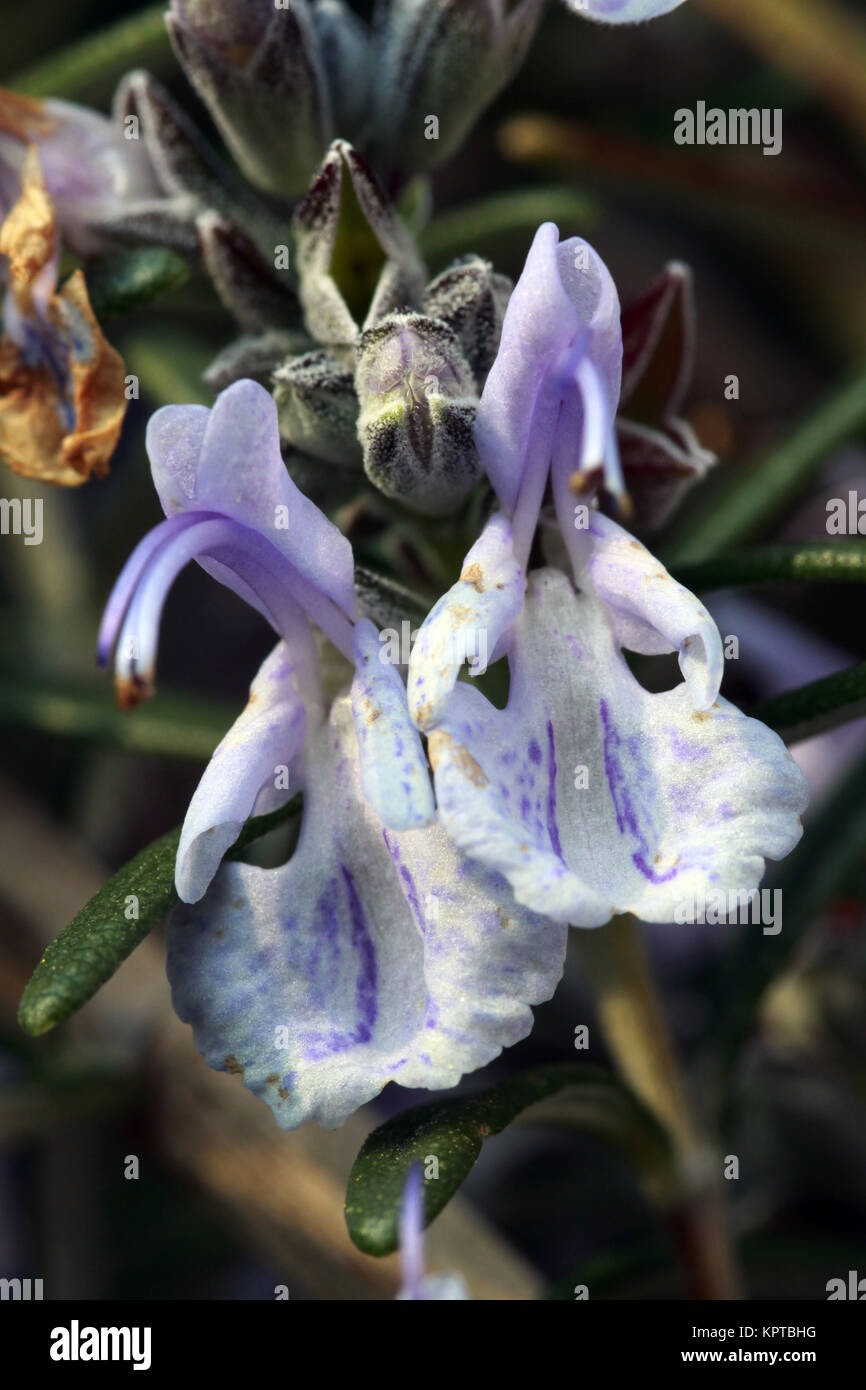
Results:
x,y
418,400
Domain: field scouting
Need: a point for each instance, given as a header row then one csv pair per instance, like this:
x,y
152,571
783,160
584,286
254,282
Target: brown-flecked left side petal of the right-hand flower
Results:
x,y
468,623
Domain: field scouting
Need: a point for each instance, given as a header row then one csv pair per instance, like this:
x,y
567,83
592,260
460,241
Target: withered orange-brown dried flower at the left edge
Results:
x,y
35,440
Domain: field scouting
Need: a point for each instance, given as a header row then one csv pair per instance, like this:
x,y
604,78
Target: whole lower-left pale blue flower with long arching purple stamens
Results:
x,y
377,953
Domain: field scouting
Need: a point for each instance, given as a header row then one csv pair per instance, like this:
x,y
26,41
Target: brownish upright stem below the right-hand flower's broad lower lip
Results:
x,y
637,1036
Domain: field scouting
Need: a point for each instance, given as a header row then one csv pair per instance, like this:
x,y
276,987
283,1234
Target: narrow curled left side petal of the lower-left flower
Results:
x,y
251,772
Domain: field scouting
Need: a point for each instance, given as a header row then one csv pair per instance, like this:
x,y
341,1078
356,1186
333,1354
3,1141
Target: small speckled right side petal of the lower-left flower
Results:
x,y
395,778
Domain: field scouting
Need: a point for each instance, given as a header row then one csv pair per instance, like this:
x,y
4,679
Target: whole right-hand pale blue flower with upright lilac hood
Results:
x,y
590,794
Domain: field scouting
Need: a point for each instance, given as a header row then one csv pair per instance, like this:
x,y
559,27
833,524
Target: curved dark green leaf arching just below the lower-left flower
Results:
x,y
454,1132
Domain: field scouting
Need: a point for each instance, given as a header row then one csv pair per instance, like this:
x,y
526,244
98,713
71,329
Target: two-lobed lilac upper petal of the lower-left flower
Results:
x,y
227,461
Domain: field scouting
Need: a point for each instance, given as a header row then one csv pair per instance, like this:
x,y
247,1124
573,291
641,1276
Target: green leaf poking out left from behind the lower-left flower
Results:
x,y
102,936
